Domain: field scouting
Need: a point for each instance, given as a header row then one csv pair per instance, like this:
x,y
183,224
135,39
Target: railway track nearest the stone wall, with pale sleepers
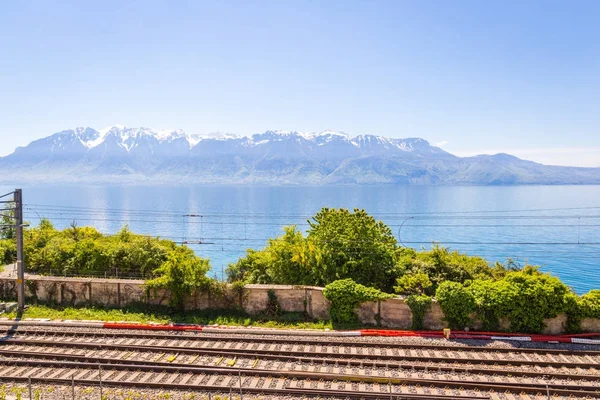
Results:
x,y
270,349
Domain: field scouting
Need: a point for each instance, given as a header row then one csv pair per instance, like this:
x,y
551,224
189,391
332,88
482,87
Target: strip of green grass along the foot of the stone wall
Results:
x,y
144,313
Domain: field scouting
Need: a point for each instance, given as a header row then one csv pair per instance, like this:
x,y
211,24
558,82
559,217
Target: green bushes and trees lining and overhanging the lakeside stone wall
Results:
x,y
353,256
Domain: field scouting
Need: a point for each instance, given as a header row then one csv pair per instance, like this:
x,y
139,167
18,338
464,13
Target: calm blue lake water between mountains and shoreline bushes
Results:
x,y
556,227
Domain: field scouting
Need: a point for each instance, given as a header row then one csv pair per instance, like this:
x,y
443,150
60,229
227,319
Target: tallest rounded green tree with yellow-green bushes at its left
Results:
x,y
339,244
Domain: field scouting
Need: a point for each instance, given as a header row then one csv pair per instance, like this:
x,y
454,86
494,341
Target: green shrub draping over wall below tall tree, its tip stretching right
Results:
x,y
345,295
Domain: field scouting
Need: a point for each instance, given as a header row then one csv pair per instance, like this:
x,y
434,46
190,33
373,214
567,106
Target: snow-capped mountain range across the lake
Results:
x,y
146,156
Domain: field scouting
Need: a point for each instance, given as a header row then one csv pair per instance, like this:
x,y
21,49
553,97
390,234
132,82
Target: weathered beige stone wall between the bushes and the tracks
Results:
x,y
393,313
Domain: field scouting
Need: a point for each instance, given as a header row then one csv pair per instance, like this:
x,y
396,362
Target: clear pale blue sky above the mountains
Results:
x,y
473,77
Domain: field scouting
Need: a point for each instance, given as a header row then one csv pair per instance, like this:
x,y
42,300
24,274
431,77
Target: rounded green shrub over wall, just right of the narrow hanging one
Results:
x,y
457,302
